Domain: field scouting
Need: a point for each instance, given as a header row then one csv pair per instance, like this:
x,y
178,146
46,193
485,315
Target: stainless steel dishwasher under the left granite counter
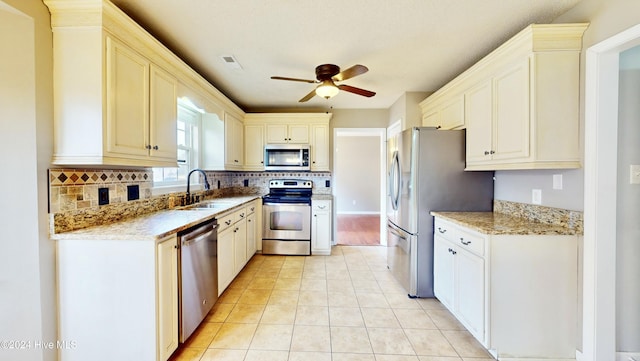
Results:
x,y
198,287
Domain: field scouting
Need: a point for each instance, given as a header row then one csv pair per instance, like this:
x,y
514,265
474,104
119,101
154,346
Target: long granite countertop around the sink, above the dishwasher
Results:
x,y
153,226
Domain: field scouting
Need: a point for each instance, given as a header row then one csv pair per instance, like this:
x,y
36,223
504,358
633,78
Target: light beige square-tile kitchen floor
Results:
x,y
343,307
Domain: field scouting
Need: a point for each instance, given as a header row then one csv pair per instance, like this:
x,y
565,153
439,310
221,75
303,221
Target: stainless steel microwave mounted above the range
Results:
x,y
286,157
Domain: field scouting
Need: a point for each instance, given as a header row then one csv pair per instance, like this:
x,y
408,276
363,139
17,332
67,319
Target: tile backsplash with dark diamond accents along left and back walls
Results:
x,y
73,193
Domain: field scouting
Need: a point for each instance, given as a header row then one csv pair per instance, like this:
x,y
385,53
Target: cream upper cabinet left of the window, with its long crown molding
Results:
x,y
117,103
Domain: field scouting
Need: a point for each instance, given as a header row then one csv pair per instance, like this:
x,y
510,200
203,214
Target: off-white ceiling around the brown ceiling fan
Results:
x,y
408,45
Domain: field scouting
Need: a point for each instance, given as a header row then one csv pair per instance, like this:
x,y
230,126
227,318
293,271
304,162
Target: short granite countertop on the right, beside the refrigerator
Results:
x,y
493,223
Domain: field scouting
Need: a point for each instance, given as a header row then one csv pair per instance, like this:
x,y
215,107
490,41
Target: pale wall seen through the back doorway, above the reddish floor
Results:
x,y
357,174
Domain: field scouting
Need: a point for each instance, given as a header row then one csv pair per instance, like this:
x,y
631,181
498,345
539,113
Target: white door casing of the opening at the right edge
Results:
x,y
603,213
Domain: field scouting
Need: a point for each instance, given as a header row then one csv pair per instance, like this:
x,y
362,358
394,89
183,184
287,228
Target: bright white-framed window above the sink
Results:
x,y
189,122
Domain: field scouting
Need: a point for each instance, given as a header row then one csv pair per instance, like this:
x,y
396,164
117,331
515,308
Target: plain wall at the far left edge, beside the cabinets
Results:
x,y
27,261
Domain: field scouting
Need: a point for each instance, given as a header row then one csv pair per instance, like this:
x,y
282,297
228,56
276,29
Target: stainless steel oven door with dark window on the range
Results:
x,y
286,221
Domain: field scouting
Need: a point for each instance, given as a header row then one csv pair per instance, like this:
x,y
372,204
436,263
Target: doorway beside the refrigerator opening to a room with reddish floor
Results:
x,y
359,183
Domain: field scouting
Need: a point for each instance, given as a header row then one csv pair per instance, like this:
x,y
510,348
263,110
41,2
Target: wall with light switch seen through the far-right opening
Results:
x,y
628,227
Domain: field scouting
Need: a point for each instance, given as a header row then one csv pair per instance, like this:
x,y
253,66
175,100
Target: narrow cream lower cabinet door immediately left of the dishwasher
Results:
x,y
167,297
